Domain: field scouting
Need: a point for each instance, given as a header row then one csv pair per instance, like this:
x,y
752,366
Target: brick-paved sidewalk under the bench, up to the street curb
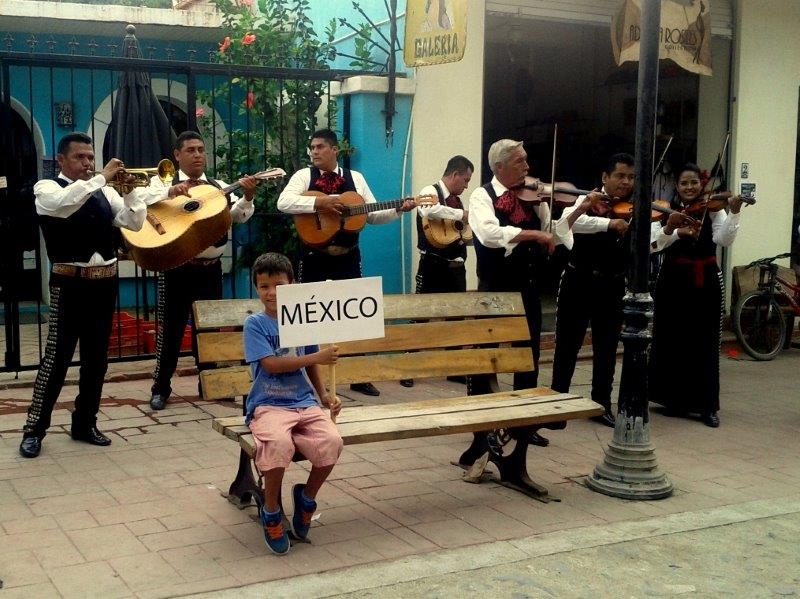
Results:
x,y
145,517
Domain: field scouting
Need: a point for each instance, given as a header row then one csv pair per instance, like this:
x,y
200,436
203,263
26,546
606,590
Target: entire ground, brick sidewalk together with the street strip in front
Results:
x,y
145,517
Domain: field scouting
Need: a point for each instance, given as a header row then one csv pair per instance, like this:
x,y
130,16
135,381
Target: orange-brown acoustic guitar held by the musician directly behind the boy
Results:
x,y
317,229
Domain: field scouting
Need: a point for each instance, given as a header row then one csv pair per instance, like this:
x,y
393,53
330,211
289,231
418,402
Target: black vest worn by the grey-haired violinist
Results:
x,y
498,272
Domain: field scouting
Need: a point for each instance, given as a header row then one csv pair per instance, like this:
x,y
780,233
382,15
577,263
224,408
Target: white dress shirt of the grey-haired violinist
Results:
x,y
486,227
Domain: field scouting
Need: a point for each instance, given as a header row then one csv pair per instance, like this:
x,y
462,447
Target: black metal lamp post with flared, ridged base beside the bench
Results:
x,y
629,468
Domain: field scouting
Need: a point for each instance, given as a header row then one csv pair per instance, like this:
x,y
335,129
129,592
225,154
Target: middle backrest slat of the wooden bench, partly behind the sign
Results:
x,y
215,347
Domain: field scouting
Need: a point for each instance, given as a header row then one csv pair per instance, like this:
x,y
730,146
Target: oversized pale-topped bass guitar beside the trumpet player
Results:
x,y
177,229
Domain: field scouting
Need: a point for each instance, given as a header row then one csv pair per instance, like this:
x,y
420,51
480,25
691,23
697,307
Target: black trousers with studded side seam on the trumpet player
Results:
x,y
80,310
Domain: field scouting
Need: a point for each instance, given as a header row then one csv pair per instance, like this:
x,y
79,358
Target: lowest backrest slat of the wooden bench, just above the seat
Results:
x,y
235,381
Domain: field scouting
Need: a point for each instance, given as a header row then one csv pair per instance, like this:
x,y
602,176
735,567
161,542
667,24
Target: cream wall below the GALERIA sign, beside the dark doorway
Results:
x,y
448,119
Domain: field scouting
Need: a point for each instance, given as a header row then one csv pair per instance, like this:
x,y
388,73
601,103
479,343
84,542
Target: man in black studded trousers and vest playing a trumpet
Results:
x,y
77,213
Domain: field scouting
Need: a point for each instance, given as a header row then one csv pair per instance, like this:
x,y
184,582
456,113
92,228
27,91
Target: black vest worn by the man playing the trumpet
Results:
x,y
87,231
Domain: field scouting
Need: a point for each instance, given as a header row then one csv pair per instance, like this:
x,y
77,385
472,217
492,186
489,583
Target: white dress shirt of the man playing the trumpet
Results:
x,y
62,202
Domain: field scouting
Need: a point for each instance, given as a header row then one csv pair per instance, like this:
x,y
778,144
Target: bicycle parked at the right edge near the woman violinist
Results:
x,y
758,318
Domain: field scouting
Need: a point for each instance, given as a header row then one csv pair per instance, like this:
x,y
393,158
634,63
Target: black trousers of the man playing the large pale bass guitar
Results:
x,y
177,289
